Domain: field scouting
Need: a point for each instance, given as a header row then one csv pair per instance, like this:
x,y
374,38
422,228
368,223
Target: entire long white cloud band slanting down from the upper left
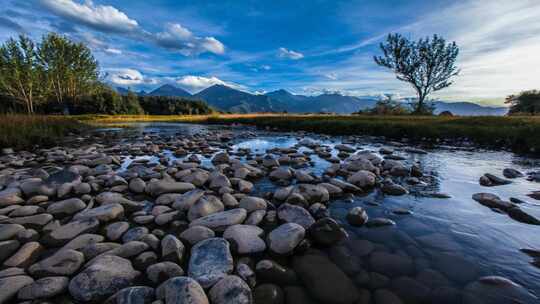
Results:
x,y
108,19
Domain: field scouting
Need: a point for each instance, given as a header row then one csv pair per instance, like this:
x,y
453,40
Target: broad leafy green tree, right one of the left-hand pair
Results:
x,y
70,68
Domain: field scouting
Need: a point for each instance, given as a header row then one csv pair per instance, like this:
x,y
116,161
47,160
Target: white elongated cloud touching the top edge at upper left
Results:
x,y
100,17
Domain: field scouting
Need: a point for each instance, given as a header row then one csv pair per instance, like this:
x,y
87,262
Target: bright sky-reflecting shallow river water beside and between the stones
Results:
x,y
457,237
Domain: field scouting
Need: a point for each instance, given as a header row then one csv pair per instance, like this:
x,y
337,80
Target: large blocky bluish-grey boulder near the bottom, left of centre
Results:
x,y
210,261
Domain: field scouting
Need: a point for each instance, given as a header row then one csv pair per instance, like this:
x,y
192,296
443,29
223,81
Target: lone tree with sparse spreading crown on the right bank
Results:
x,y
427,64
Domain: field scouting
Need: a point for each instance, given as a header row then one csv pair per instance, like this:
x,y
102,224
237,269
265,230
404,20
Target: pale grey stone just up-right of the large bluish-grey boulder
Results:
x,y
246,239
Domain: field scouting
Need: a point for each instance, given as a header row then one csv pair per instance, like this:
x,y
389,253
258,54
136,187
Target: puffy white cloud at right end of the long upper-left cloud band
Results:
x,y
177,37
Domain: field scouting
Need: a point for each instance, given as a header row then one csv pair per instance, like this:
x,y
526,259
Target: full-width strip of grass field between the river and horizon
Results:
x,y
521,134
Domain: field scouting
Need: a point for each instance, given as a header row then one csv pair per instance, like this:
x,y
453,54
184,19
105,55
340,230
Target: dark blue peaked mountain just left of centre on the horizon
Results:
x,y
225,98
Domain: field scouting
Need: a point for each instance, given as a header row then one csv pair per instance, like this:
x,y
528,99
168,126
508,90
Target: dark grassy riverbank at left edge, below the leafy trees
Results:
x,y
25,132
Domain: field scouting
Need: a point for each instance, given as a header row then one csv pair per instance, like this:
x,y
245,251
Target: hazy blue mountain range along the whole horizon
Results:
x,y
228,99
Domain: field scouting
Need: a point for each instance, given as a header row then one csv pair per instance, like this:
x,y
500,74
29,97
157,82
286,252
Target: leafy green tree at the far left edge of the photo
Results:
x,y
20,73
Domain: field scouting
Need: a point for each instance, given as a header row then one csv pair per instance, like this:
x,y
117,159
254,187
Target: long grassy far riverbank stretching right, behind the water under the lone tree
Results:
x,y
518,134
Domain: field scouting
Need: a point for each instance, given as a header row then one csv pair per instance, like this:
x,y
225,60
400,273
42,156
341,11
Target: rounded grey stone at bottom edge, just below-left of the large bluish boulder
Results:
x,y
181,290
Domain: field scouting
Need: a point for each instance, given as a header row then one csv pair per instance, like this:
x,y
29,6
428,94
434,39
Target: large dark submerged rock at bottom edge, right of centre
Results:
x,y
324,281
